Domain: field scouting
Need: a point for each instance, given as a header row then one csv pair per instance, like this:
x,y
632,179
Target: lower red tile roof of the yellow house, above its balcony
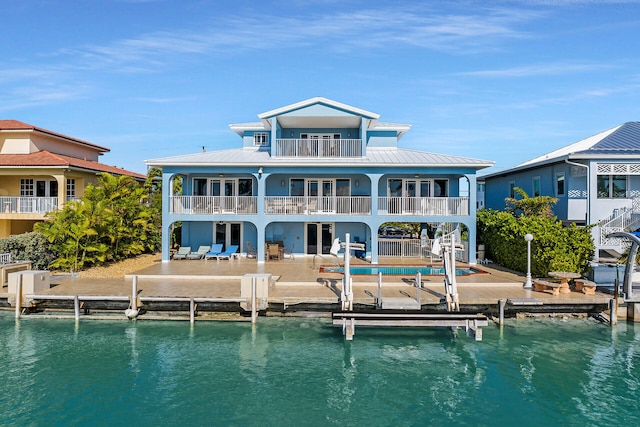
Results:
x,y
48,159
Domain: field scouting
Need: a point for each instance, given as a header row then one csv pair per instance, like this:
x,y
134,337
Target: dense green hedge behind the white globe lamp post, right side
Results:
x,y
554,247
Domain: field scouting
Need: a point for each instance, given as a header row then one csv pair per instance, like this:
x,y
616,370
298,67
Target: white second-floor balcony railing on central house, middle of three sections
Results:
x,y
306,205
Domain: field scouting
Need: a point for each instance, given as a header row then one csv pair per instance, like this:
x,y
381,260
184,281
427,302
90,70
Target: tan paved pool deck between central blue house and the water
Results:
x,y
299,285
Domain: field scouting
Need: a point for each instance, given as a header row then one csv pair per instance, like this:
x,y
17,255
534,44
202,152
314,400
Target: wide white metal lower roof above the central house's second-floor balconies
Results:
x,y
389,157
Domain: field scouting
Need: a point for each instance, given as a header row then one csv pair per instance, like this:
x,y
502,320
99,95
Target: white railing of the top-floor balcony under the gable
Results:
x,y
318,147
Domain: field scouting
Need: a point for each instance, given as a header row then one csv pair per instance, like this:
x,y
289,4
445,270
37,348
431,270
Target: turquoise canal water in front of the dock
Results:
x,y
301,371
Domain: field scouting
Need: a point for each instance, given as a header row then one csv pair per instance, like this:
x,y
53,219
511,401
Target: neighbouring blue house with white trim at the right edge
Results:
x,y
596,181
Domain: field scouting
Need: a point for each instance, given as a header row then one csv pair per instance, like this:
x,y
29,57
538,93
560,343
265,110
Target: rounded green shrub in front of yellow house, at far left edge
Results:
x,y
29,246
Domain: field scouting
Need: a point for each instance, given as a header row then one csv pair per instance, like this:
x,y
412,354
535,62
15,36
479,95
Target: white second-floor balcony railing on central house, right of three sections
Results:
x,y
436,206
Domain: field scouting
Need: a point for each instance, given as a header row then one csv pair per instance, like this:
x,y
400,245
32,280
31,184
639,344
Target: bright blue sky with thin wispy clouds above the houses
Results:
x,y
497,80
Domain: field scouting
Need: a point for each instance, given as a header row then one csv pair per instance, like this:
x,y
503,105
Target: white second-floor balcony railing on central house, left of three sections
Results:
x,y
198,205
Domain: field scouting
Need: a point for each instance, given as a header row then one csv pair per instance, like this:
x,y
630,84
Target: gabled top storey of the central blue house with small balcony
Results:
x,y
319,128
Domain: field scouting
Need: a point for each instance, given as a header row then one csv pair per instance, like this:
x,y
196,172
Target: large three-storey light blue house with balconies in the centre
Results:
x,y
309,172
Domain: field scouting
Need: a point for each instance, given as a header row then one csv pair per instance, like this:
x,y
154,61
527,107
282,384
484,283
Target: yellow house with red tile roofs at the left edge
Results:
x,y
40,170
